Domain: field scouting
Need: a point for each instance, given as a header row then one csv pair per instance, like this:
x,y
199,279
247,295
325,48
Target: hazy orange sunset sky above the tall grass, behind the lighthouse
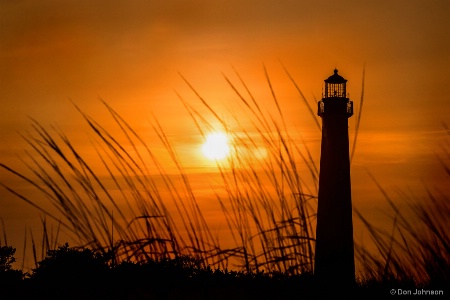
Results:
x,y
130,53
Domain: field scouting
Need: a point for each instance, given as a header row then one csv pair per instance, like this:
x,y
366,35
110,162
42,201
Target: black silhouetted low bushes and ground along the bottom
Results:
x,y
80,273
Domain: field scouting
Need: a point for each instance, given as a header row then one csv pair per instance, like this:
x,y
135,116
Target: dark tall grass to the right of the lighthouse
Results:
x,y
416,251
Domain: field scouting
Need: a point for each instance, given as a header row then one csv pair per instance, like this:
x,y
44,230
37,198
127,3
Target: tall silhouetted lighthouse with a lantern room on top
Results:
x,y
334,255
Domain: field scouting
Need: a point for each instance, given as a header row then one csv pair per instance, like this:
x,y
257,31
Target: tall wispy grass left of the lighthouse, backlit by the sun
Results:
x,y
269,213
